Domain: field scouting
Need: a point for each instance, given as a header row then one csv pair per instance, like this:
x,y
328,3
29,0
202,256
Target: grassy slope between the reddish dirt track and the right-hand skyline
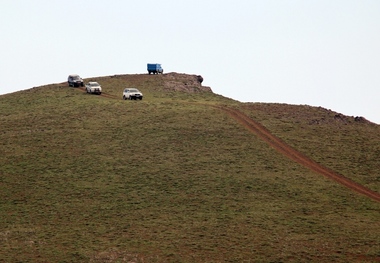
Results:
x,y
348,145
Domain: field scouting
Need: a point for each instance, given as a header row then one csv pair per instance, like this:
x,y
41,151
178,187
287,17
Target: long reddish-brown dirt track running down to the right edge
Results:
x,y
291,153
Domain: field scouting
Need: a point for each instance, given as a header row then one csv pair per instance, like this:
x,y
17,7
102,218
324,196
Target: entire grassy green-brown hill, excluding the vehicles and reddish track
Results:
x,y
172,178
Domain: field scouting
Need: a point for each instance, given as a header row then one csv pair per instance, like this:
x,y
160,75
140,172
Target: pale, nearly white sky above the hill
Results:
x,y
316,52
